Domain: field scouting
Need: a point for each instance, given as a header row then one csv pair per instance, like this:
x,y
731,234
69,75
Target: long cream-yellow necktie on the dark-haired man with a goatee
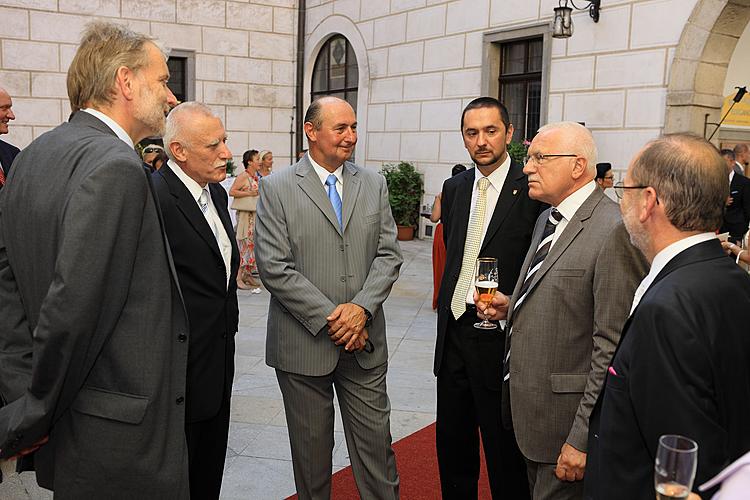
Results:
x,y
471,250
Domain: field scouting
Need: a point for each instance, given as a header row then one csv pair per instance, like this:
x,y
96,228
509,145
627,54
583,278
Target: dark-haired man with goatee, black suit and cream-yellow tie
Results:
x,y
467,360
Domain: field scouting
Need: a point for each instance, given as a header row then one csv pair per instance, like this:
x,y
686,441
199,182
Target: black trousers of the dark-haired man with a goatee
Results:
x,y
468,402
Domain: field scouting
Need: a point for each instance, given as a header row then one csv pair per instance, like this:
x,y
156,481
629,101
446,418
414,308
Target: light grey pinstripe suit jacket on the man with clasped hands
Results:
x,y
310,266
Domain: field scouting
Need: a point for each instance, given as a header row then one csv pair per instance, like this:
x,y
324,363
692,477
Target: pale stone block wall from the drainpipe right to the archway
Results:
x,y
425,61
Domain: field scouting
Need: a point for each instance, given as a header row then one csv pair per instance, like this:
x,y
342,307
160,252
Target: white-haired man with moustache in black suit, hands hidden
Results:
x,y
205,254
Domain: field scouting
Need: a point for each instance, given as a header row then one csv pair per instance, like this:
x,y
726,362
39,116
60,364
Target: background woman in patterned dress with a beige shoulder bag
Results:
x,y
245,185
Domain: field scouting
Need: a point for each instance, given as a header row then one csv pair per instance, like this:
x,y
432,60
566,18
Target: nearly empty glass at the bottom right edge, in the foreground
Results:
x,y
674,468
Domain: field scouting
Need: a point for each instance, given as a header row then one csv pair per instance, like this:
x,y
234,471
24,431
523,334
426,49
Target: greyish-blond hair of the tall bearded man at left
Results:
x,y
104,48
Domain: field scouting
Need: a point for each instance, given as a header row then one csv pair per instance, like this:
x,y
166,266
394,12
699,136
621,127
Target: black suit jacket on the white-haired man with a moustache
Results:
x,y
212,307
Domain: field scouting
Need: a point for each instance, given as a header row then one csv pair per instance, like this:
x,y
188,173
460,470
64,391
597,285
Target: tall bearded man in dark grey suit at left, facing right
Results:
x,y
92,346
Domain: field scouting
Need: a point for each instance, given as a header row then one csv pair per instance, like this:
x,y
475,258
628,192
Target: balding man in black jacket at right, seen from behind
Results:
x,y
681,366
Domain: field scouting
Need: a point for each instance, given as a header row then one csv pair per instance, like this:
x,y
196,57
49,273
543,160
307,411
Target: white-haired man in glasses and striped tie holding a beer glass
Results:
x,y
566,312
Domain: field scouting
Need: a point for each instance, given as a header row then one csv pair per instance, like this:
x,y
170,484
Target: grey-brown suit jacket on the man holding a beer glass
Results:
x,y
566,330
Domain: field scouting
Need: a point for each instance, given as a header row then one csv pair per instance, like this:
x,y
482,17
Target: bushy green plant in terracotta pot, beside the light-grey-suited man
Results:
x,y
404,194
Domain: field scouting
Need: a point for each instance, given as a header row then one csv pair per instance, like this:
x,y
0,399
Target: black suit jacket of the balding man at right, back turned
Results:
x,y
681,368
